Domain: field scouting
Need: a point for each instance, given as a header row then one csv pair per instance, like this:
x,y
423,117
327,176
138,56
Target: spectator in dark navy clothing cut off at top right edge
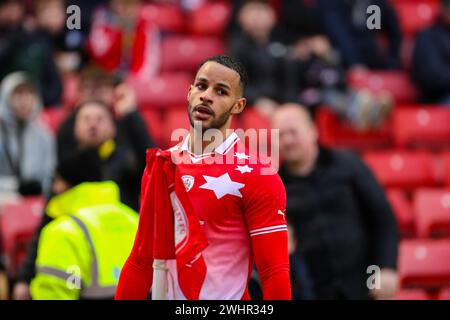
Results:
x,y
431,59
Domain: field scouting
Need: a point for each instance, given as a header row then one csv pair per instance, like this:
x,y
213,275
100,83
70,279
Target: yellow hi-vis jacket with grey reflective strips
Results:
x,y
81,252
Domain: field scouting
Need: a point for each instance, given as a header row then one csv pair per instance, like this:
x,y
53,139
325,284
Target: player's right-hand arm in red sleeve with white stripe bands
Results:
x,y
265,215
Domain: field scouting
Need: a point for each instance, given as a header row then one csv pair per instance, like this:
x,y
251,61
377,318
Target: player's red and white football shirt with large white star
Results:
x,y
235,199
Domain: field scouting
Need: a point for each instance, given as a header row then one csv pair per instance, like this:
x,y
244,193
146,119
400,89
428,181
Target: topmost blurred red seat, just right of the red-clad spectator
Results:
x,y
168,17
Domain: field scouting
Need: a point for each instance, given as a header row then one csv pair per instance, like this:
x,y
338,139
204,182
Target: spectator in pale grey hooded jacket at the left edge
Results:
x,y
27,149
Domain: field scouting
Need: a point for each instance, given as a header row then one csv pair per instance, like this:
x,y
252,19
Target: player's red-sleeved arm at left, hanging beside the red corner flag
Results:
x,y
137,274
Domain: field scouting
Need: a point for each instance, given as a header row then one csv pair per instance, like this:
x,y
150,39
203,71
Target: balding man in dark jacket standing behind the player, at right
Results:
x,y
341,218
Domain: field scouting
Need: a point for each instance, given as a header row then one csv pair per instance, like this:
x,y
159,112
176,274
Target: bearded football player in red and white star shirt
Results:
x,y
238,202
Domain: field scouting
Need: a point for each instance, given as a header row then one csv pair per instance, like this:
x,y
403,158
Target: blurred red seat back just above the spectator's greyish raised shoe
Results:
x,y
397,83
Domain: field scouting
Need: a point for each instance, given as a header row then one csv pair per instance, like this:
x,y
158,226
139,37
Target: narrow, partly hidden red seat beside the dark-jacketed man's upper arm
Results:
x,y
403,211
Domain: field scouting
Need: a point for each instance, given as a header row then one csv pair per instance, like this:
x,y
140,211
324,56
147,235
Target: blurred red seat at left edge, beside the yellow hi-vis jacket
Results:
x,y
19,221
